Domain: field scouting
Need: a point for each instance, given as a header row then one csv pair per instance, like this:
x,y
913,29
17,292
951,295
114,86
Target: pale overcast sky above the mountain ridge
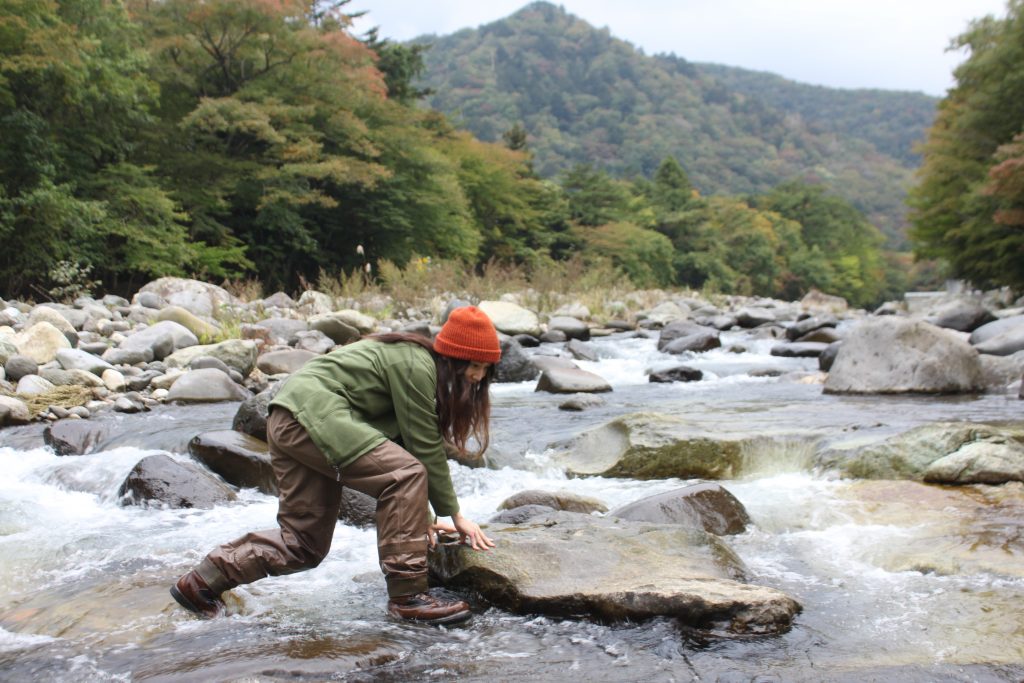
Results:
x,y
891,45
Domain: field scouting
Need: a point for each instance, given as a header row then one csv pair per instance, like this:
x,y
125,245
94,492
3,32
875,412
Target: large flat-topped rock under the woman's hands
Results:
x,y
568,565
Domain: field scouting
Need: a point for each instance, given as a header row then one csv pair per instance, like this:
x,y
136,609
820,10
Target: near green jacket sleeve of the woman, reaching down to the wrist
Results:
x,y
414,390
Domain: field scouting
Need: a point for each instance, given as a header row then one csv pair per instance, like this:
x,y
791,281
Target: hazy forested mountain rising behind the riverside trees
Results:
x,y
585,97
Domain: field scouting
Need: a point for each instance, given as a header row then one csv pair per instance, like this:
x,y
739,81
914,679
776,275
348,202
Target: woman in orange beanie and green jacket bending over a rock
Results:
x,y
373,416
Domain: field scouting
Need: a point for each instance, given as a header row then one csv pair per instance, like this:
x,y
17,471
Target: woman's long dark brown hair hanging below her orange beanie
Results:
x,y
463,408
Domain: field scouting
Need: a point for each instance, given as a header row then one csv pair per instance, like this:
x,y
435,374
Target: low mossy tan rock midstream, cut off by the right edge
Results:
x,y
956,446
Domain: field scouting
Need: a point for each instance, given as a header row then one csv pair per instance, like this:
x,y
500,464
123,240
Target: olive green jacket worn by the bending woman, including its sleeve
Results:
x,y
355,399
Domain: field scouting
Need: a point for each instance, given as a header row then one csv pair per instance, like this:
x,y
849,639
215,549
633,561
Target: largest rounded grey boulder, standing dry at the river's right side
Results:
x,y
897,356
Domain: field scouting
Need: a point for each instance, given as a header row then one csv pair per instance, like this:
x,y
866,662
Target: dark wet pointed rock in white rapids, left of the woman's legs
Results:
x,y
161,481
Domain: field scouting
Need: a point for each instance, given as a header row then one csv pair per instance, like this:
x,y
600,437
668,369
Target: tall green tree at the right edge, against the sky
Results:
x,y
966,195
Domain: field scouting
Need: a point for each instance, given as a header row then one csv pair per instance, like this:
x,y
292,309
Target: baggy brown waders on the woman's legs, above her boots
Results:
x,y
310,499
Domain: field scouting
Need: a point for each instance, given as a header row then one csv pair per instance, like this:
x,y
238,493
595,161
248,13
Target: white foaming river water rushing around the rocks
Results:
x,y
919,584
